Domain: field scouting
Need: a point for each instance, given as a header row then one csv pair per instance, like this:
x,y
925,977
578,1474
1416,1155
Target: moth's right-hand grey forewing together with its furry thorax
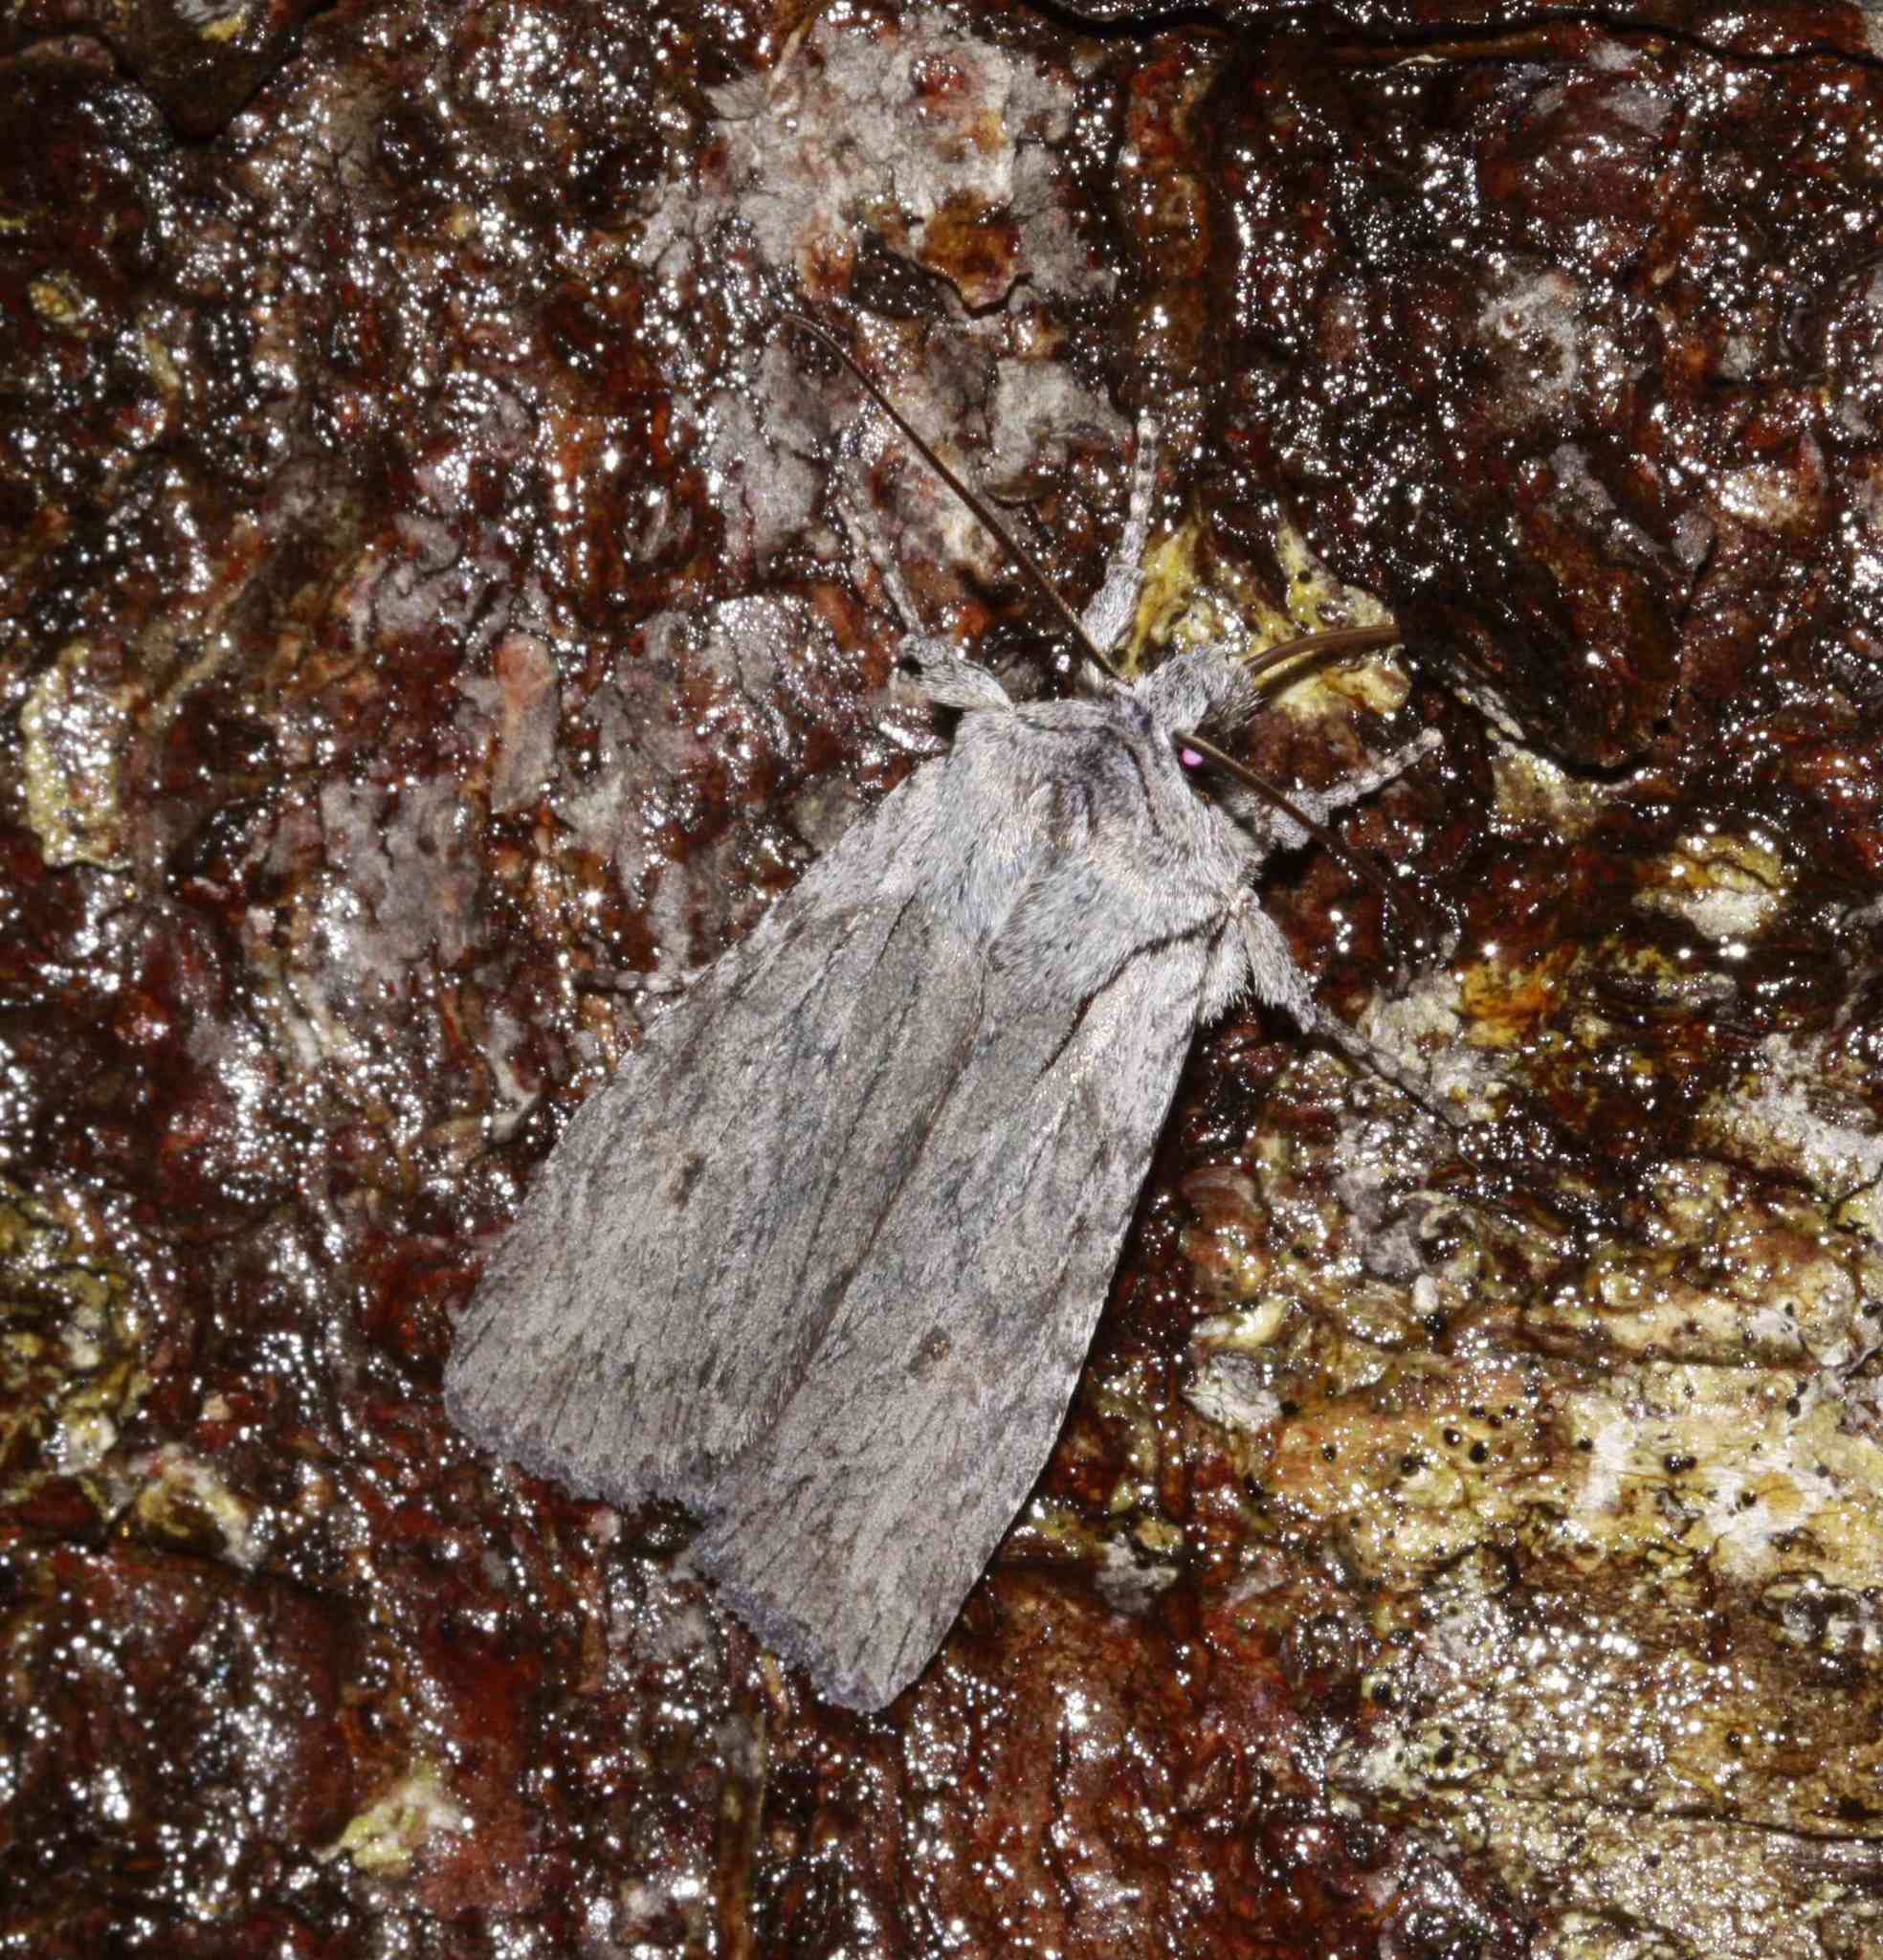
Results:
x,y
851,1534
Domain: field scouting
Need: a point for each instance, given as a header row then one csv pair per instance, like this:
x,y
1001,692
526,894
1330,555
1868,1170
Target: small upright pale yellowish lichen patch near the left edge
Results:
x,y
73,732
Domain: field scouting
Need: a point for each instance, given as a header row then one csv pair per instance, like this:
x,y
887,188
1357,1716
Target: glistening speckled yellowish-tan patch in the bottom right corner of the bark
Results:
x,y
1545,1696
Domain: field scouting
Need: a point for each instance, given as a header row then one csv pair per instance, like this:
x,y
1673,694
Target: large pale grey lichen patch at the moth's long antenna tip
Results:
x,y
922,171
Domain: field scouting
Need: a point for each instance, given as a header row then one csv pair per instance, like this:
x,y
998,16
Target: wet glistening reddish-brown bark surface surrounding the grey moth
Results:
x,y
438,603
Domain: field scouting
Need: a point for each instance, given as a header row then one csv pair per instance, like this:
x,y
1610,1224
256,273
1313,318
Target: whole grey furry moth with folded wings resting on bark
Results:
x,y
824,1257
